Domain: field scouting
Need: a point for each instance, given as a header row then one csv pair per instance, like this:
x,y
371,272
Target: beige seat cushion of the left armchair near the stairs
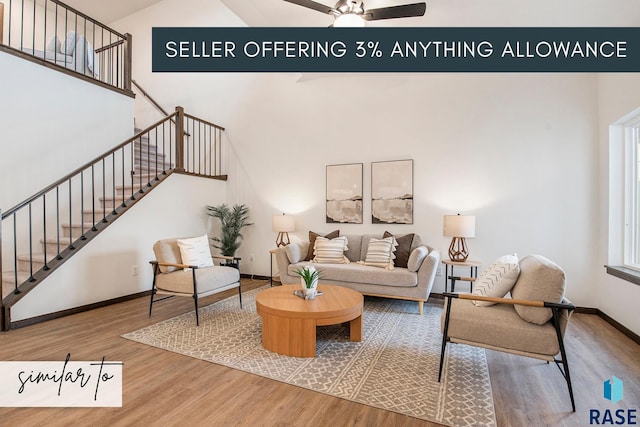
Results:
x,y
208,279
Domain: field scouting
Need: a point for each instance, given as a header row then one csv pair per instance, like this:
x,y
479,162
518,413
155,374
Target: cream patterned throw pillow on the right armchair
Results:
x,y
497,279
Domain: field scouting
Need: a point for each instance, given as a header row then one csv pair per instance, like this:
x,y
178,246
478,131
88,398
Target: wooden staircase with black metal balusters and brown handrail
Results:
x,y
93,197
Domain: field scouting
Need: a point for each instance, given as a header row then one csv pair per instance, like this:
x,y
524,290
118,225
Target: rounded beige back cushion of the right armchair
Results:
x,y
541,280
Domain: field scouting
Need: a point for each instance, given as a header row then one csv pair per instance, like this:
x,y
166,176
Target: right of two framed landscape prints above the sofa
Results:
x,y
392,192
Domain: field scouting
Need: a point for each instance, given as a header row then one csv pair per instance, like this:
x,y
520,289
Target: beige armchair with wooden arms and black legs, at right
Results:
x,y
522,326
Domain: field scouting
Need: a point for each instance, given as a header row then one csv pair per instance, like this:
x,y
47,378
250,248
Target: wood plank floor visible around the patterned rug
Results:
x,y
163,388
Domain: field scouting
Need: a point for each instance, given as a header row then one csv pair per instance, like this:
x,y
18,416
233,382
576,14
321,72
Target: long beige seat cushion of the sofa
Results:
x,y
356,273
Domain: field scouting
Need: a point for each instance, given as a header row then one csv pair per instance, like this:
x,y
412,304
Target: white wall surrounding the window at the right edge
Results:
x,y
619,94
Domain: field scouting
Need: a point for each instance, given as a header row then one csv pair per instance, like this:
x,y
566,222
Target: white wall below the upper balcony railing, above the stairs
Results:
x,y
51,124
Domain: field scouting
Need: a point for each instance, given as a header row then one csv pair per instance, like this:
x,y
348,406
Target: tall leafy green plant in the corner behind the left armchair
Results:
x,y
232,220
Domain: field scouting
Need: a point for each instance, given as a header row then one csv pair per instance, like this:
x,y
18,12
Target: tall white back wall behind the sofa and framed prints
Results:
x,y
516,150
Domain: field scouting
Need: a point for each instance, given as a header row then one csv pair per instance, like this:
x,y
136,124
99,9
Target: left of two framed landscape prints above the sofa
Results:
x,y
344,193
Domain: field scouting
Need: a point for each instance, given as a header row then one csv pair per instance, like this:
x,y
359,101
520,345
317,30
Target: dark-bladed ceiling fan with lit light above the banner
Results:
x,y
353,13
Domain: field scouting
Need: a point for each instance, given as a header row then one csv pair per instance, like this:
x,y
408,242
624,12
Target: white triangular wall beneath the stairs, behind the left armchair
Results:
x,y
103,269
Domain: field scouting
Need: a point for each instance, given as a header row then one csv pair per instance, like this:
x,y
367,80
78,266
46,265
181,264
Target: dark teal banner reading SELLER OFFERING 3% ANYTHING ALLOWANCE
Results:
x,y
396,49
